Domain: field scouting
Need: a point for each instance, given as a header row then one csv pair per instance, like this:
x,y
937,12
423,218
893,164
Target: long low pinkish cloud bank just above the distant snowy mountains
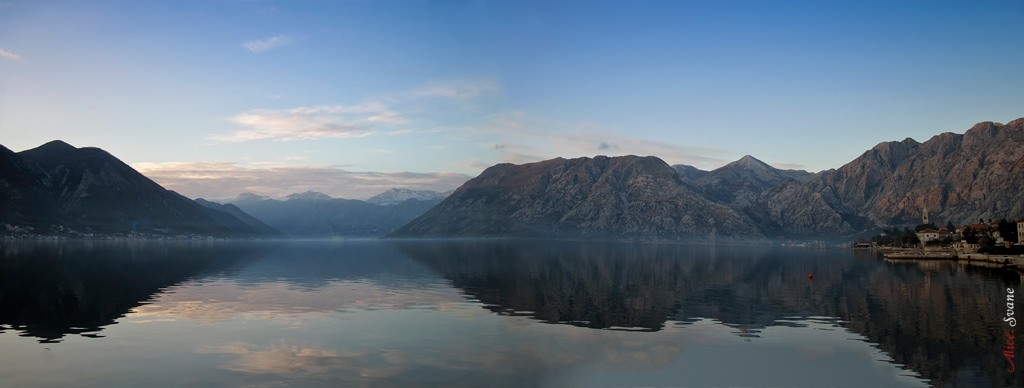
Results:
x,y
224,181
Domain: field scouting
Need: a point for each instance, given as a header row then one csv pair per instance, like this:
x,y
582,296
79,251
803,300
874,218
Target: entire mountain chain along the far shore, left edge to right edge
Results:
x,y
58,189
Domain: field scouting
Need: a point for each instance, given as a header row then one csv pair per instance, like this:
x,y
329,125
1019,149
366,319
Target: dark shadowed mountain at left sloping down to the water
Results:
x,y
57,188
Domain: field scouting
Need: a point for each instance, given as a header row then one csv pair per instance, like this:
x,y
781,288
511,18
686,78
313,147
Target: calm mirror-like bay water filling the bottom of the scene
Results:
x,y
493,314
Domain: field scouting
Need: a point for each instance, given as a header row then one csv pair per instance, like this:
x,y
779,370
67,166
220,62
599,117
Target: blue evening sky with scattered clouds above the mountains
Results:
x,y
216,99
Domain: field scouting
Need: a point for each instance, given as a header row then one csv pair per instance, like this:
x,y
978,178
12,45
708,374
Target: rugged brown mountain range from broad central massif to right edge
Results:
x,y
956,178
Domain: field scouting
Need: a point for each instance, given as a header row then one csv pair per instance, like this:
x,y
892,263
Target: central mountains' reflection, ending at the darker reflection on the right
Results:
x,y
625,286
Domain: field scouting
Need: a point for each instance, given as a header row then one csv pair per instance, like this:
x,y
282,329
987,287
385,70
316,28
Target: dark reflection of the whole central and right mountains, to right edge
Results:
x,y
943,321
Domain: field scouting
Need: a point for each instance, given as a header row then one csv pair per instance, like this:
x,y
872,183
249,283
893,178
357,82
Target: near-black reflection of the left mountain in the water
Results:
x,y
50,290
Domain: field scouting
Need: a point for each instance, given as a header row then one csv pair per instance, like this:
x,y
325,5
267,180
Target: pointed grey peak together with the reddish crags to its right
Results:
x,y
959,179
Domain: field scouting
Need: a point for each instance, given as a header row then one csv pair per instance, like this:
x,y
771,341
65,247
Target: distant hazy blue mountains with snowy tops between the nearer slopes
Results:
x,y
316,214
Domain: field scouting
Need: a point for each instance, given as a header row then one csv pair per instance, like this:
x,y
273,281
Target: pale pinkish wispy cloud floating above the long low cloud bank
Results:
x,y
307,123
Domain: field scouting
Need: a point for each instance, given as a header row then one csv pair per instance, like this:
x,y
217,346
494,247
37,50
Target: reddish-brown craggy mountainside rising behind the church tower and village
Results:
x,y
959,179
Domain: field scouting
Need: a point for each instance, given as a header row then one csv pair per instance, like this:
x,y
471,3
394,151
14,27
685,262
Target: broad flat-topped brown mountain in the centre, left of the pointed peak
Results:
x,y
618,198
